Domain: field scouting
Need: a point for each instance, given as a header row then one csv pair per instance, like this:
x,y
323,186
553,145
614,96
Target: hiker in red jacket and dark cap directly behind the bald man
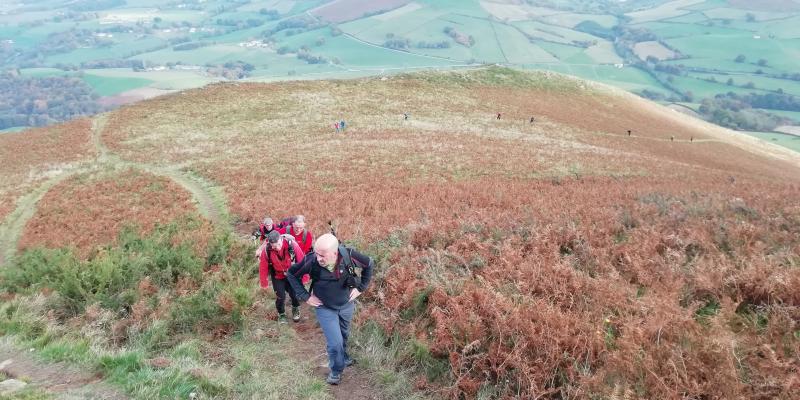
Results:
x,y
275,256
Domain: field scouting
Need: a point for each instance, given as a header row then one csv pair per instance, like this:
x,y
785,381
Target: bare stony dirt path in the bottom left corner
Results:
x,y
61,380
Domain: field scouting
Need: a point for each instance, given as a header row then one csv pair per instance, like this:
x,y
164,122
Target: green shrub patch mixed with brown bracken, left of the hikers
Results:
x,y
155,285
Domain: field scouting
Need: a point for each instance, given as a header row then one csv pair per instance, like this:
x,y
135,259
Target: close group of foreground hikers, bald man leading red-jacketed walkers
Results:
x,y
320,272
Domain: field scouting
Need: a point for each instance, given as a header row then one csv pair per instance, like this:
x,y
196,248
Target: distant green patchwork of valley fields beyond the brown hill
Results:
x,y
686,51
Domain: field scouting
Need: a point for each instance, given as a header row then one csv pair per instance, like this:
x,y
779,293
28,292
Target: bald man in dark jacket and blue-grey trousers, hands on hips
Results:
x,y
334,288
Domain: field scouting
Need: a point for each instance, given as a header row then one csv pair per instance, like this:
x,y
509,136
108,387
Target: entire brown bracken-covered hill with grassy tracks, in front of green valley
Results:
x,y
610,247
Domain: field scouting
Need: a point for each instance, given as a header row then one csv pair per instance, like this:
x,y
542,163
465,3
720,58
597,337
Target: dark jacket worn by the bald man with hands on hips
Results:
x,y
329,288
